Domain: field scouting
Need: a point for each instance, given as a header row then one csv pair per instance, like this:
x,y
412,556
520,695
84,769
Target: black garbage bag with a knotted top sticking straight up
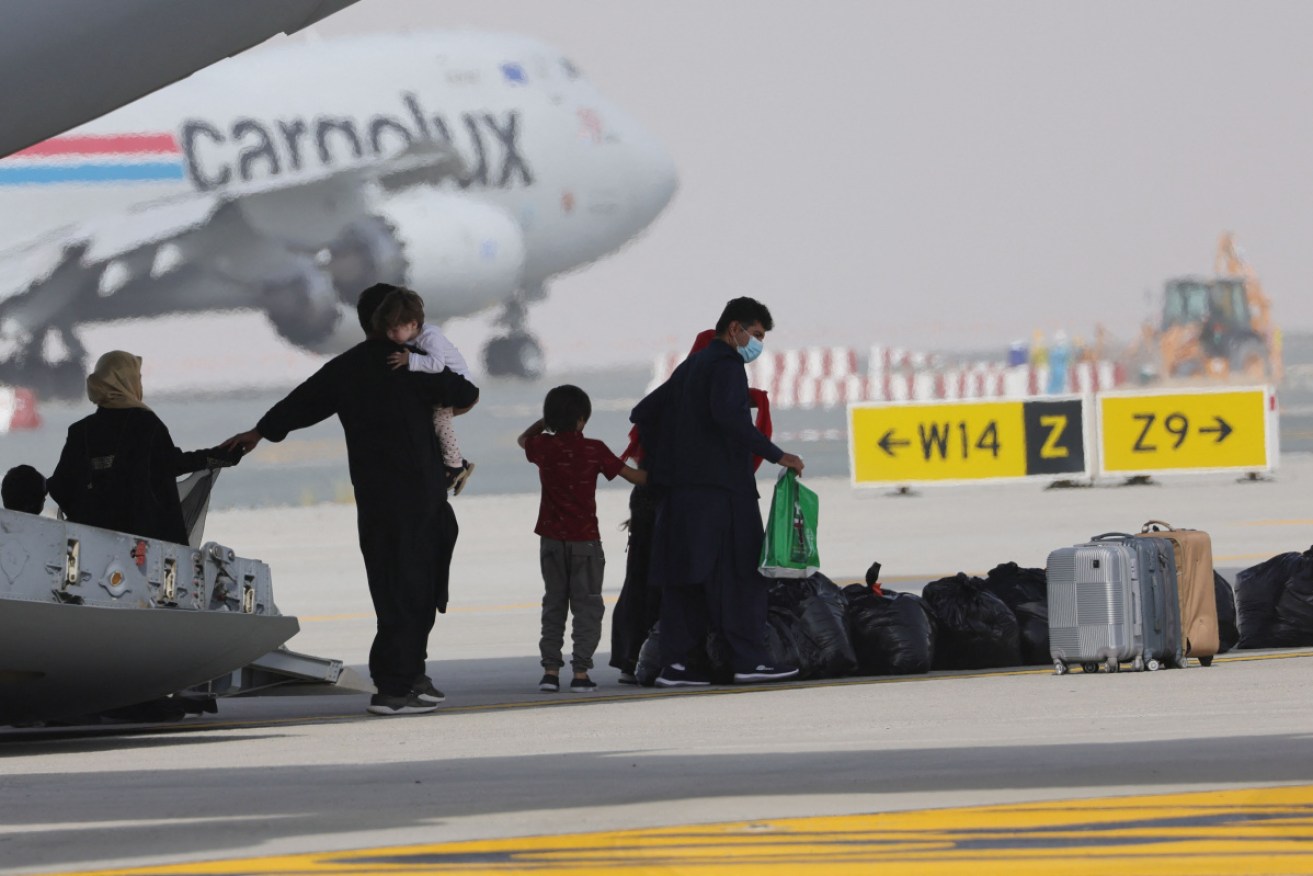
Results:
x,y
892,634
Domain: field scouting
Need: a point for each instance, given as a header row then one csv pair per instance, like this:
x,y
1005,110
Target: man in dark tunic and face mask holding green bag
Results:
x,y
699,442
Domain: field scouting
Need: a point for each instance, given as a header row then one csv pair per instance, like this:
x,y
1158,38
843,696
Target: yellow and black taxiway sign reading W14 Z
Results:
x,y
904,443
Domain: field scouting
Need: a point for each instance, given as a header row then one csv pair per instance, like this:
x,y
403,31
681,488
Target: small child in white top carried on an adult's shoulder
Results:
x,y
401,317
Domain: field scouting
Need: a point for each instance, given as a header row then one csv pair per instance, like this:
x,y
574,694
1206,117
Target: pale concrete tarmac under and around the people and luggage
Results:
x,y
314,776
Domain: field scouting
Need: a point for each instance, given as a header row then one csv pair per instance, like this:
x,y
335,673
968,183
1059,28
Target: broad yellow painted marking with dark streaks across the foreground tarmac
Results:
x,y
1251,831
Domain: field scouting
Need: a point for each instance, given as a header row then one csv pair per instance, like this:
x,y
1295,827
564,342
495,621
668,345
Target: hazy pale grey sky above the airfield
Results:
x,y
928,174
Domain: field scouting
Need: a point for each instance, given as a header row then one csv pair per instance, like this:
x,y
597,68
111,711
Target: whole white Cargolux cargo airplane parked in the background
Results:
x,y
472,167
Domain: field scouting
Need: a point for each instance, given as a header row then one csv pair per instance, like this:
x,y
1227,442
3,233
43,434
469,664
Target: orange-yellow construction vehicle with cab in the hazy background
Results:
x,y
1219,328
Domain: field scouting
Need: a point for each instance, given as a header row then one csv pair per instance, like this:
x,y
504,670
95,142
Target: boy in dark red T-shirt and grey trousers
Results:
x,y
572,559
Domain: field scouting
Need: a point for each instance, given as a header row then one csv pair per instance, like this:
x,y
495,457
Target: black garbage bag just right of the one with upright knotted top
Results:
x,y
976,630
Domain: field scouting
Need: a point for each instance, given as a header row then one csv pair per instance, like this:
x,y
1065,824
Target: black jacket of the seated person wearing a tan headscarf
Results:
x,y
120,470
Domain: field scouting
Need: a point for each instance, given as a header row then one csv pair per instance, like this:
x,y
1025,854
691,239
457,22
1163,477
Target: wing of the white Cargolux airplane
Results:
x,y
320,202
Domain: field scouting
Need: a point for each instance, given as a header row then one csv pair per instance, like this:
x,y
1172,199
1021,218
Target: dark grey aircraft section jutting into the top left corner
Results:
x,y
66,62
